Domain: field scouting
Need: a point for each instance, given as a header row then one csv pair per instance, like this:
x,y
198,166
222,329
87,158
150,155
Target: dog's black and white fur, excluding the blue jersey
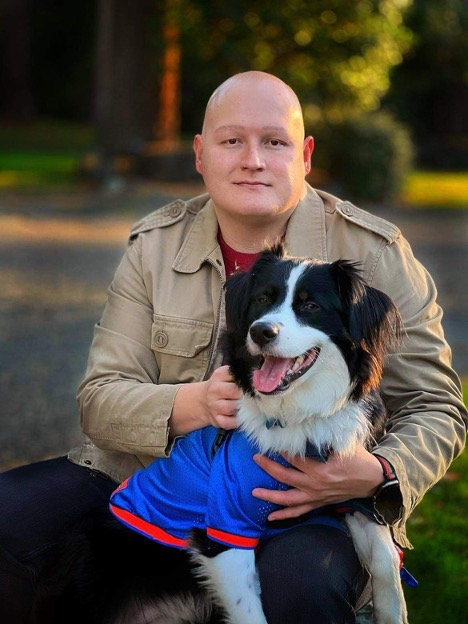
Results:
x,y
306,344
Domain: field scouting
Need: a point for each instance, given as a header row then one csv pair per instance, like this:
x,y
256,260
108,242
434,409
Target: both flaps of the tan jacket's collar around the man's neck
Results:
x,y
305,235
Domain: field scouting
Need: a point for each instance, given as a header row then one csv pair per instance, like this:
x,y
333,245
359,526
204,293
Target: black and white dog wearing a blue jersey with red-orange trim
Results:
x,y
306,342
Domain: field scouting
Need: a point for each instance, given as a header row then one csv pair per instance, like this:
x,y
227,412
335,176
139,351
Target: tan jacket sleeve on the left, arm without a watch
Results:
x,y
122,407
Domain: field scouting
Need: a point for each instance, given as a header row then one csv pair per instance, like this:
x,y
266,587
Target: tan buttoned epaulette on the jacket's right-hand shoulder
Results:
x,y
343,209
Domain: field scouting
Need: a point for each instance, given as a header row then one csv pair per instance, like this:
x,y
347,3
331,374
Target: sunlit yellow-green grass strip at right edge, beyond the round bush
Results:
x,y
436,189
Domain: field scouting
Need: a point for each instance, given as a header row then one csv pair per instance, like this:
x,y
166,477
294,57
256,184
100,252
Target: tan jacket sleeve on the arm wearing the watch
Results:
x,y
427,423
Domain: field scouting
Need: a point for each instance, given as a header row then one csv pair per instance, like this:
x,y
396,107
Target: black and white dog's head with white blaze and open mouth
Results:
x,y
296,320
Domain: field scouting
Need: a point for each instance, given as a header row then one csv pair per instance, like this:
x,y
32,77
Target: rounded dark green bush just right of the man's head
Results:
x,y
367,157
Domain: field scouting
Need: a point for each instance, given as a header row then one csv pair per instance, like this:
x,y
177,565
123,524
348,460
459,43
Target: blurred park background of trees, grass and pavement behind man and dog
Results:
x,y
99,101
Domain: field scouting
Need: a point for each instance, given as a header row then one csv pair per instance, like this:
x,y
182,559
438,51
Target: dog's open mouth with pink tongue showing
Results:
x,y
277,374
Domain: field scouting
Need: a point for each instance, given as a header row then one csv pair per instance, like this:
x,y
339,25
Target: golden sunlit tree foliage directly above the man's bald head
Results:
x,y
335,54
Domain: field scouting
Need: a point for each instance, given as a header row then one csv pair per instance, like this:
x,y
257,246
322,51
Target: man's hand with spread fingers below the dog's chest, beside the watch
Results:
x,y
315,484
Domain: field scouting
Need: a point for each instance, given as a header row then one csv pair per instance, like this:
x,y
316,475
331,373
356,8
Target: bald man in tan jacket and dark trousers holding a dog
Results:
x,y
154,370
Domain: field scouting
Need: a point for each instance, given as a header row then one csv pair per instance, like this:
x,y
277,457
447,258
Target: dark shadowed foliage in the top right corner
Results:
x,y
430,88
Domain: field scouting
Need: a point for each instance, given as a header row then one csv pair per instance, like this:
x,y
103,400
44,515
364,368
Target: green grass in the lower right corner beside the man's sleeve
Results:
x,y
438,532
